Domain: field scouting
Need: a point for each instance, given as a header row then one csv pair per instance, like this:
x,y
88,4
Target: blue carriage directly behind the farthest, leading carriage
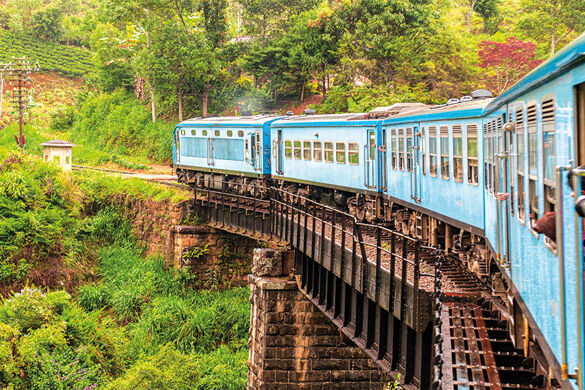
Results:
x,y
333,155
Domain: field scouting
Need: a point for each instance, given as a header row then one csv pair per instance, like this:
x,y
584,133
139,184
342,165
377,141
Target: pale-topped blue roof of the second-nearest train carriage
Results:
x,y
470,109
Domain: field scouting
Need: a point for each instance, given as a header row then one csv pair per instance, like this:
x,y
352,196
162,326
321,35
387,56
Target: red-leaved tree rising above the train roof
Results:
x,y
507,62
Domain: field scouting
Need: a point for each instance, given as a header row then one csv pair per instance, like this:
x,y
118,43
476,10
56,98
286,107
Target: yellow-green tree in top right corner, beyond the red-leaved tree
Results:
x,y
554,21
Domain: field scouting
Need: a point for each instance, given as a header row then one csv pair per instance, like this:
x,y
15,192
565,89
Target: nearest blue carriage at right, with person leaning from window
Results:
x,y
535,134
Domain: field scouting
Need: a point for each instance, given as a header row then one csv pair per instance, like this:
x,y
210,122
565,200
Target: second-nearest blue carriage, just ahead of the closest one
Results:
x,y
433,187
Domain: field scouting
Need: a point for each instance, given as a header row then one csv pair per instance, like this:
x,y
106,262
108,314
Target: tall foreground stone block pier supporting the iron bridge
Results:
x,y
292,344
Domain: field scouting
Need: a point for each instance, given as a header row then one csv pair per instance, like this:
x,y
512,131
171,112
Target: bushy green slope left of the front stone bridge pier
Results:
x,y
124,320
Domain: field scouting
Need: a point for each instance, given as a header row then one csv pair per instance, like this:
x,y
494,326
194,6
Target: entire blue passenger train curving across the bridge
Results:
x,y
476,176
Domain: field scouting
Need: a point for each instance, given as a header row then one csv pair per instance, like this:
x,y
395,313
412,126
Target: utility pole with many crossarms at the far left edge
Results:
x,y
19,80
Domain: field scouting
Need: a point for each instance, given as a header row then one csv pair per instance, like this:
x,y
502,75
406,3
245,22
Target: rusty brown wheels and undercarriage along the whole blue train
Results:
x,y
470,249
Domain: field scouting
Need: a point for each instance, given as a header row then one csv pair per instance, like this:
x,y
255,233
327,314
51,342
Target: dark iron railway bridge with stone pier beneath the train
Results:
x,y
337,303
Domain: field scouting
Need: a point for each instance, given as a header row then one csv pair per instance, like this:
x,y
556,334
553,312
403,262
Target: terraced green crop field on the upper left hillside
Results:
x,y
52,57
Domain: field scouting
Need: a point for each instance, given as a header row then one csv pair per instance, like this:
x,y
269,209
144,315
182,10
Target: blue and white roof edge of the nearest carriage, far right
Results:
x,y
569,57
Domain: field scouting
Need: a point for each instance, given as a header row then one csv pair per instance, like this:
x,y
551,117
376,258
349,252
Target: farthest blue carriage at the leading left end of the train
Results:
x,y
207,151
